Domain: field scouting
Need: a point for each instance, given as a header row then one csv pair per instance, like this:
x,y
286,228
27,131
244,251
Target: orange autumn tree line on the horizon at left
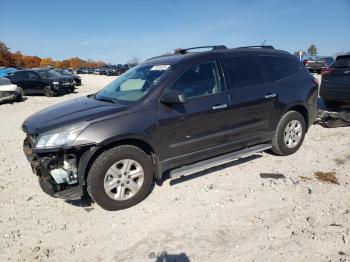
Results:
x,y
19,60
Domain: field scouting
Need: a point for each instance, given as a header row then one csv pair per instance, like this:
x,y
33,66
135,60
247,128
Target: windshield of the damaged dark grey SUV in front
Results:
x,y
134,84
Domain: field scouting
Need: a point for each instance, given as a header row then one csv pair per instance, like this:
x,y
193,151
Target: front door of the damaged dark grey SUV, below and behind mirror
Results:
x,y
203,121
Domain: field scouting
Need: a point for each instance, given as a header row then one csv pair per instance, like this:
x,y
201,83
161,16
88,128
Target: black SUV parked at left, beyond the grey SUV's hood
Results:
x,y
41,81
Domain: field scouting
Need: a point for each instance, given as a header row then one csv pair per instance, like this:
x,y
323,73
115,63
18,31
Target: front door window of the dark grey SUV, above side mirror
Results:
x,y
201,80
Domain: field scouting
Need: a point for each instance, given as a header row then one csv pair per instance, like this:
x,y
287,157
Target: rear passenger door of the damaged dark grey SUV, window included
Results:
x,y
253,100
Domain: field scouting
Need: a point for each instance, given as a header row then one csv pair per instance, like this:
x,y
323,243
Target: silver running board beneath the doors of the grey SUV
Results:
x,y
217,161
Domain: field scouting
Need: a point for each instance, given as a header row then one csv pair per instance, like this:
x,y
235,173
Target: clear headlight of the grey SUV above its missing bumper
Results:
x,y
62,137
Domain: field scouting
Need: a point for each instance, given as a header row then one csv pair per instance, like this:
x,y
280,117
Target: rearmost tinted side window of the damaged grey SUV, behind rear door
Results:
x,y
277,68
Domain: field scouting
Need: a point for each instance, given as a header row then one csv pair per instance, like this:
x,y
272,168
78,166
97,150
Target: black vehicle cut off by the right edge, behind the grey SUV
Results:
x,y
335,84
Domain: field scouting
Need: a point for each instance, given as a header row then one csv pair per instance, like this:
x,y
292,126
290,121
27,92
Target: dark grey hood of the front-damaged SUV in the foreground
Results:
x,y
69,112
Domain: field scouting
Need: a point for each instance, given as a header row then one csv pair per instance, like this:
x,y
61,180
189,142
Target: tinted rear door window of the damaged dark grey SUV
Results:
x,y
244,71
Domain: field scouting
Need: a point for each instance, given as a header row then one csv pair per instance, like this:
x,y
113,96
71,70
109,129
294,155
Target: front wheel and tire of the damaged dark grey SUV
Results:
x,y
120,177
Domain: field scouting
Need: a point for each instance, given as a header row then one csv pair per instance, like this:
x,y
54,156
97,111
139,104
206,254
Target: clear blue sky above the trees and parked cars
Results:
x,y
115,31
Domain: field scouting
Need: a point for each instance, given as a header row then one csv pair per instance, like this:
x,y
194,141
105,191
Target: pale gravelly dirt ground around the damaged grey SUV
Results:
x,y
229,213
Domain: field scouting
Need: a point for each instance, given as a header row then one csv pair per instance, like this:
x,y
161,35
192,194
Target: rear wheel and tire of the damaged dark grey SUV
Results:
x,y
290,133
